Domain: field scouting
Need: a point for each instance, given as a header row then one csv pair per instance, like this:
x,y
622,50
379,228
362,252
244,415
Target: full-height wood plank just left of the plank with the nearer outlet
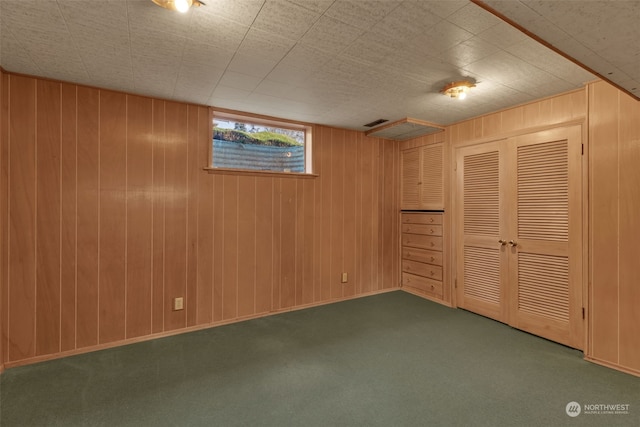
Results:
x,y
159,199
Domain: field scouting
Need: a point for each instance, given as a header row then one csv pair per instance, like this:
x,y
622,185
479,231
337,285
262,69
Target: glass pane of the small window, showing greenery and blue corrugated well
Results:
x,y
243,145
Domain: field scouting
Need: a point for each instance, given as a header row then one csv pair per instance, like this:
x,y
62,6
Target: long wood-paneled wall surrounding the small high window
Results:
x,y
106,215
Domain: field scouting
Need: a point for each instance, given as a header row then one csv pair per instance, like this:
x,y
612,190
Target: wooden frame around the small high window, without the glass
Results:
x,y
261,121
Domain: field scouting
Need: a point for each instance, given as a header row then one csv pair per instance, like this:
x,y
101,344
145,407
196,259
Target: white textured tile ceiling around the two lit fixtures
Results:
x,y
336,62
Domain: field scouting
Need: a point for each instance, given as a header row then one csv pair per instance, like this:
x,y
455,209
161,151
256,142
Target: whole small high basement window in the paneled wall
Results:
x,y
247,144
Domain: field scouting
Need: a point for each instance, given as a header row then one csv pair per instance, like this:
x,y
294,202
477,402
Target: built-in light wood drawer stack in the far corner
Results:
x,y
422,252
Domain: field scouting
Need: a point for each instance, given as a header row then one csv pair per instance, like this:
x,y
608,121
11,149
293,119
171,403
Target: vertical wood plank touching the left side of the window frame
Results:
x,y
205,226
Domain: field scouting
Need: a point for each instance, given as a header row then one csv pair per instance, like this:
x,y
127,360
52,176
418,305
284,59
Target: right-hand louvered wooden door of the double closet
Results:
x,y
545,265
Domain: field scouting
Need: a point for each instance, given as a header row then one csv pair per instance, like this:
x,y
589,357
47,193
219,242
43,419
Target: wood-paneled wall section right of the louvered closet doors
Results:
x,y
614,139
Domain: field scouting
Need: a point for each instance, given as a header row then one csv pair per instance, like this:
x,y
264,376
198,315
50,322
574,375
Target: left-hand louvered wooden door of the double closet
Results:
x,y
481,261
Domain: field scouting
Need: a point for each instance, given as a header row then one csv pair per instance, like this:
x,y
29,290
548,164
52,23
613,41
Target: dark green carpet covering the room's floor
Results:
x,y
387,360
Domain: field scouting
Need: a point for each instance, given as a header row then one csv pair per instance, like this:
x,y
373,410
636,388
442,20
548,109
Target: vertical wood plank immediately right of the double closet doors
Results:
x,y
603,148
